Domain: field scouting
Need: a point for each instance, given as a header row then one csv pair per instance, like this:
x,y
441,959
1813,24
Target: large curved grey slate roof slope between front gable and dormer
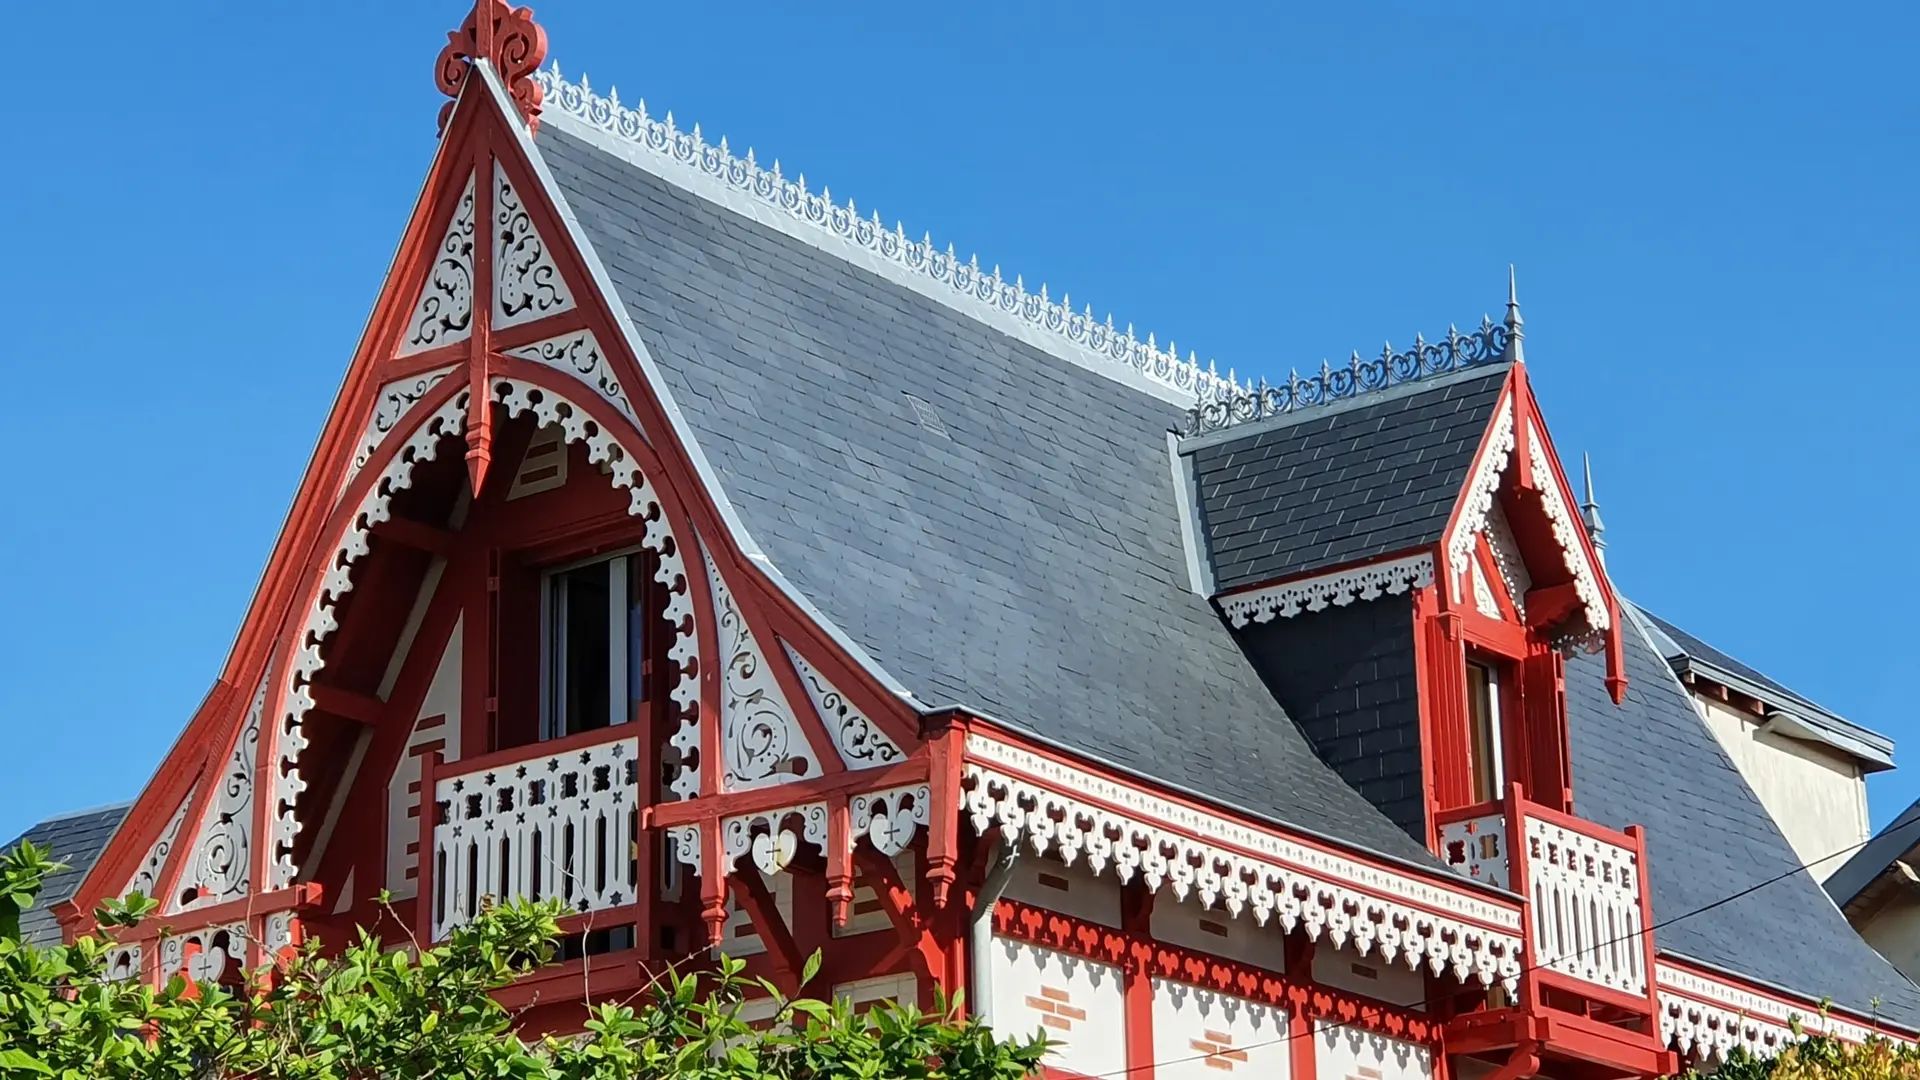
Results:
x,y
1024,560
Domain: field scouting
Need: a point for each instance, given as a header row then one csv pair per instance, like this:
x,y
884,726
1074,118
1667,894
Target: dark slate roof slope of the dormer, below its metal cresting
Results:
x,y
1347,483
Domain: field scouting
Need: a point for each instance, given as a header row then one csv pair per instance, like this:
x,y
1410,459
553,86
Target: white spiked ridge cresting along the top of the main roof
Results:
x,y
771,199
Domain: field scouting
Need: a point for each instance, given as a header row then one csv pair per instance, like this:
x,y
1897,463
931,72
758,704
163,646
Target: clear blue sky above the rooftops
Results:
x,y
1710,207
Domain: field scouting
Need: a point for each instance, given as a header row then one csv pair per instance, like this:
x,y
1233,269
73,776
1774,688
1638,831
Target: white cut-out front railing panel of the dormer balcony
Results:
x,y
1587,906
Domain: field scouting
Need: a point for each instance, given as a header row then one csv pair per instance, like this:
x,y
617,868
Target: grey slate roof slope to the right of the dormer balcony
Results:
x,y
1654,762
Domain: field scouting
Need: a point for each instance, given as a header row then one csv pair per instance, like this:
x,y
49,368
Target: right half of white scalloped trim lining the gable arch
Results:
x,y
644,503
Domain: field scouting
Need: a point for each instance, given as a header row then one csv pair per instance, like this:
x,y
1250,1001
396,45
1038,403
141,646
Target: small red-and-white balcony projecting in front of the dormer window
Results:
x,y
1585,887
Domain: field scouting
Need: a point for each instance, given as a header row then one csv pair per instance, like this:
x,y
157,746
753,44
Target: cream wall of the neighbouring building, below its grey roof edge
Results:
x,y
1817,797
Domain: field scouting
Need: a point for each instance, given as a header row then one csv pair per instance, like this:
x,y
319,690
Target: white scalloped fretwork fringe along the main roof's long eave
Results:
x,y
1068,827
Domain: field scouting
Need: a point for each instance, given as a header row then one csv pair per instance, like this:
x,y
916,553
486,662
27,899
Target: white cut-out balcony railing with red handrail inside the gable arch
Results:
x,y
544,822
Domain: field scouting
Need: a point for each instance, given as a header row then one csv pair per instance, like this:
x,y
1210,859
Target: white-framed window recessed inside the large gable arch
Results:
x,y
596,645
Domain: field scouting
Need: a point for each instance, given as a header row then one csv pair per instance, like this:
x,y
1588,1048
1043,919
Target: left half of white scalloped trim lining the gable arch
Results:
x,y
423,445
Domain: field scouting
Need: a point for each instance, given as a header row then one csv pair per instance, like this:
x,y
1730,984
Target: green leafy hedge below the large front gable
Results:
x,y
429,1014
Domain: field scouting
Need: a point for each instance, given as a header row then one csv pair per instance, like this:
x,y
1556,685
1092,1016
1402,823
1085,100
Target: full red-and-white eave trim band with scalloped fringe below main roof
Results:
x,y
1074,814
